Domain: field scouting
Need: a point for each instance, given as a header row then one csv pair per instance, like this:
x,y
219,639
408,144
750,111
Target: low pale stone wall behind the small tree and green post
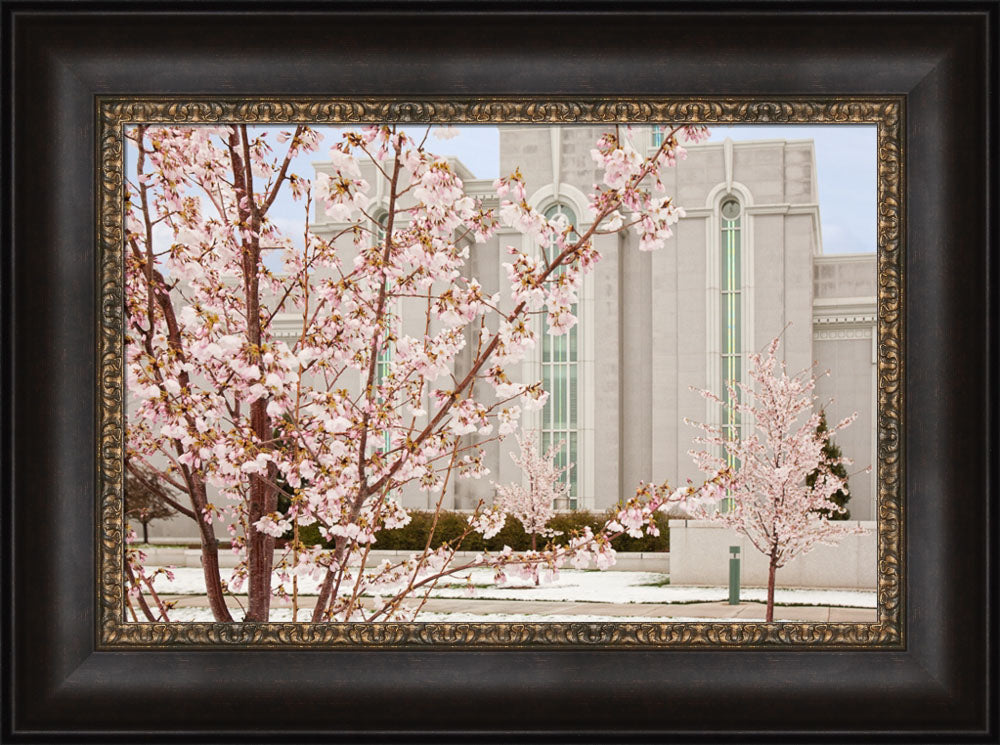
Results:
x,y
699,555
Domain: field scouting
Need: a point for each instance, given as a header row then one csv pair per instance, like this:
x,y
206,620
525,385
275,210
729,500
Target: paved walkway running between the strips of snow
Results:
x,y
628,611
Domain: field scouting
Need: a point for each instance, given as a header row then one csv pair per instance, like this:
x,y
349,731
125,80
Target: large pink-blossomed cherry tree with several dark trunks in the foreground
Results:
x,y
227,411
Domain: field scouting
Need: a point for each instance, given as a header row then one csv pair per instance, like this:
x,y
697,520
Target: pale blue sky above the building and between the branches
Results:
x,y
845,162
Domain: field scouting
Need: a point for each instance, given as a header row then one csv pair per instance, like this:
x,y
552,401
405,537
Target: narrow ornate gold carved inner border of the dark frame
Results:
x,y
115,113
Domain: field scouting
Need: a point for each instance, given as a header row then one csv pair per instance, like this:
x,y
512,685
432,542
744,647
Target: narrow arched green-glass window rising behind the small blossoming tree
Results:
x,y
732,321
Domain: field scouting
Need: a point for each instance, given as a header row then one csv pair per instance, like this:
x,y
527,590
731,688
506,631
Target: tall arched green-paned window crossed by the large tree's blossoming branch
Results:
x,y
560,373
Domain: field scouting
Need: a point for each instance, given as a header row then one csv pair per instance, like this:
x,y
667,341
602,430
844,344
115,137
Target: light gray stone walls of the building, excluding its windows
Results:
x,y
652,317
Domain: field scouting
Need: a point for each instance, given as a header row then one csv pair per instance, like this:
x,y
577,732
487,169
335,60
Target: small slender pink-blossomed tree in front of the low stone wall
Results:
x,y
771,499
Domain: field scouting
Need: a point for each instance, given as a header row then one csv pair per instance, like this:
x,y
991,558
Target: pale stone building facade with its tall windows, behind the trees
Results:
x,y
745,263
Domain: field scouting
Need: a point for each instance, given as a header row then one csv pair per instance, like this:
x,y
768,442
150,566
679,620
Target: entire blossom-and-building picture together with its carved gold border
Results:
x,y
421,380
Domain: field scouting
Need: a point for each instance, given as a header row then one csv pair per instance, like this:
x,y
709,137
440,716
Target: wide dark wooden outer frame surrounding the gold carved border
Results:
x,y
58,684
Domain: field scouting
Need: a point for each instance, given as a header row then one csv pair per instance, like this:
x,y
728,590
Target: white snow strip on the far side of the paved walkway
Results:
x,y
570,586
